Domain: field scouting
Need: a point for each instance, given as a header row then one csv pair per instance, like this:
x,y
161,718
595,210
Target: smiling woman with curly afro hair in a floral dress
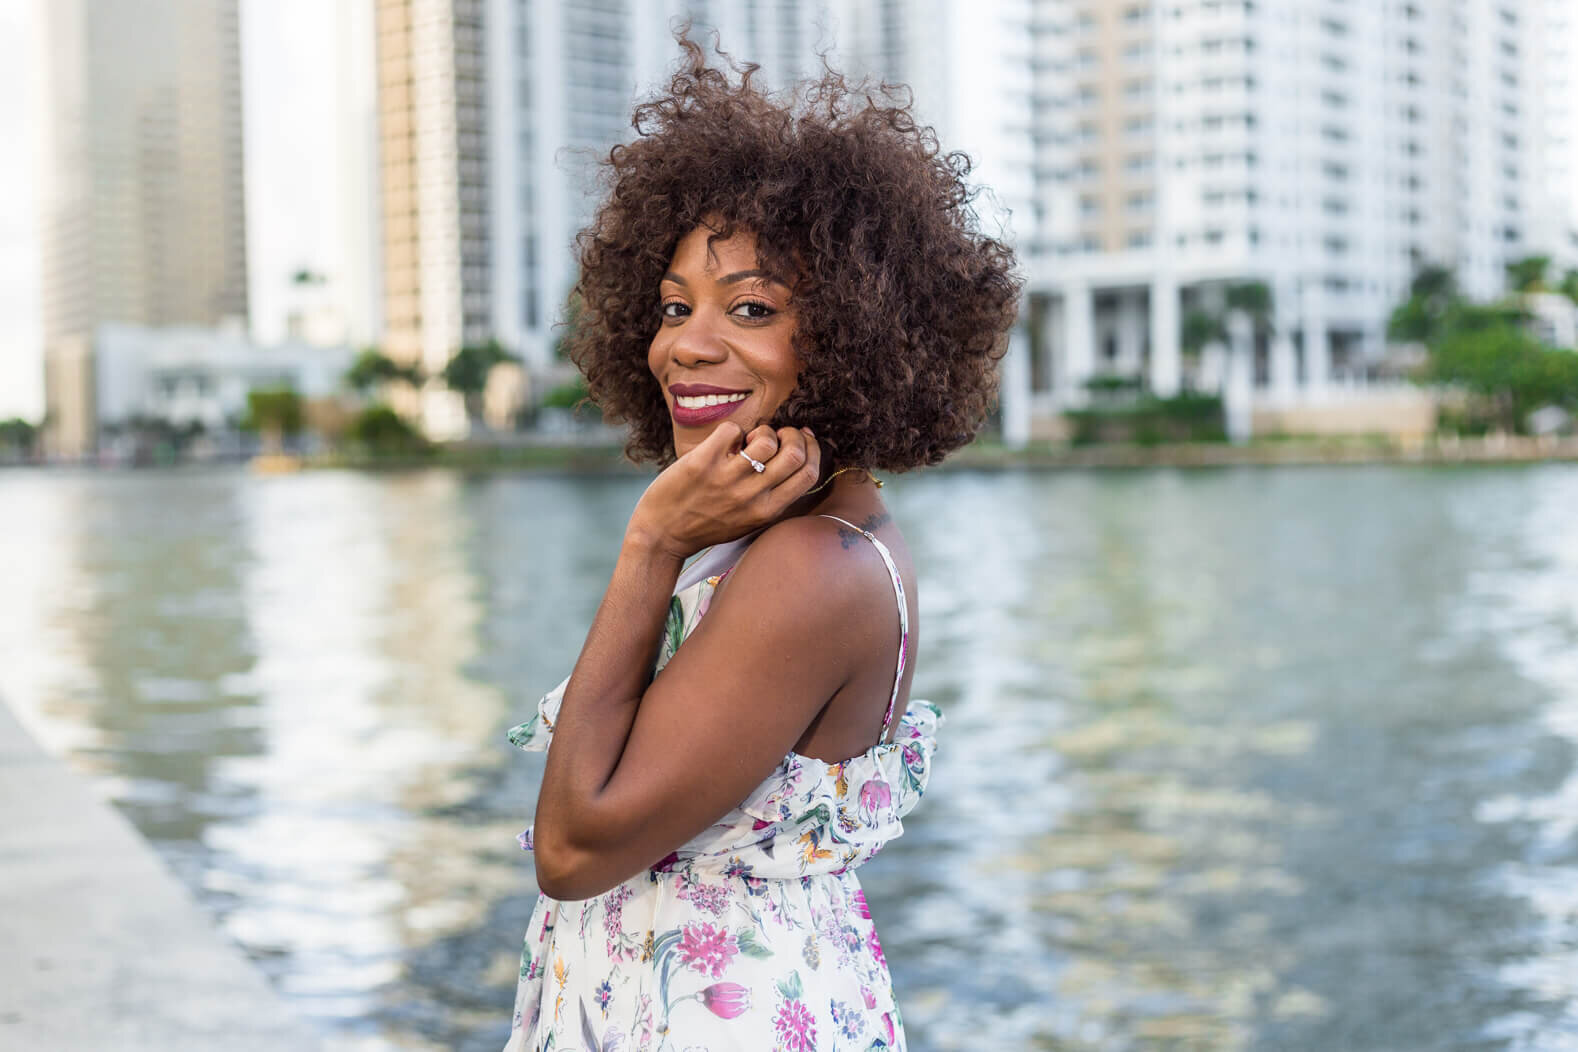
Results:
x,y
779,297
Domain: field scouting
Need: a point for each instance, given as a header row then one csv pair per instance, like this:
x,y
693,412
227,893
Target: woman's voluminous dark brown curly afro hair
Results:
x,y
902,307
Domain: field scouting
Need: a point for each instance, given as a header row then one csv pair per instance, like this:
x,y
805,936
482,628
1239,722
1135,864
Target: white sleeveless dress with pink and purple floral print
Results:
x,y
755,934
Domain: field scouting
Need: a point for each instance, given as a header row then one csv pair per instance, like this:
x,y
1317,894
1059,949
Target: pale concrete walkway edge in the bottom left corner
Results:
x,y
100,944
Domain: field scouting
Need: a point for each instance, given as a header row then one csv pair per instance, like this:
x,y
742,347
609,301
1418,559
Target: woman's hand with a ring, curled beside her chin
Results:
x,y
712,494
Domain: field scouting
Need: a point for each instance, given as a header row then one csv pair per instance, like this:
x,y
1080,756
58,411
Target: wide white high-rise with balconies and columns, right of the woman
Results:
x,y
1320,147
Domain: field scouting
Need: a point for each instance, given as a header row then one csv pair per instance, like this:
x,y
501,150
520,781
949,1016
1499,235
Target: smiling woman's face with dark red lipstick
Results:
x,y
724,349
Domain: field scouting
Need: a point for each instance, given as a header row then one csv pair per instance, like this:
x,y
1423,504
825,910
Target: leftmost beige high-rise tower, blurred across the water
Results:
x,y
144,217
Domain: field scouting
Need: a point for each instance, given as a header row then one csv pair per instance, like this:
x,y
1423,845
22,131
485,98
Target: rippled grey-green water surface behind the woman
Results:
x,y
1251,759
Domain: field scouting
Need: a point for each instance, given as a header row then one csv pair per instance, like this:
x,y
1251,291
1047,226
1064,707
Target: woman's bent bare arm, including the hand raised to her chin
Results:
x,y
638,769
